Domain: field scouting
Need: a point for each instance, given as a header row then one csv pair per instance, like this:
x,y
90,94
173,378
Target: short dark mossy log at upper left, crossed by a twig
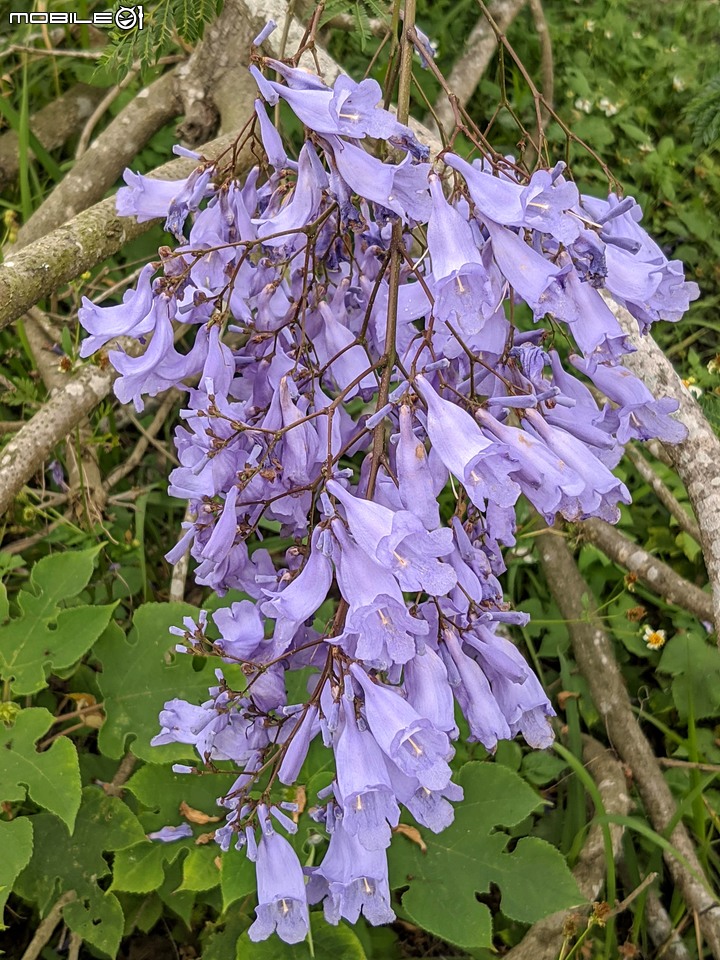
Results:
x,y
53,125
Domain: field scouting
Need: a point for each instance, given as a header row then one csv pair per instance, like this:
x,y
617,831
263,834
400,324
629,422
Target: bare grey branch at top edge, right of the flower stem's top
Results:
x,y
479,50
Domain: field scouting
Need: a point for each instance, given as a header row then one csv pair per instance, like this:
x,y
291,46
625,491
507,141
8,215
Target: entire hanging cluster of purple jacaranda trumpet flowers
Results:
x,y
339,381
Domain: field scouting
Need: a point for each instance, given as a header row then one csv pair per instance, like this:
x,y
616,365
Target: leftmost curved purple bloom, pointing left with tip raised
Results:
x,y
136,316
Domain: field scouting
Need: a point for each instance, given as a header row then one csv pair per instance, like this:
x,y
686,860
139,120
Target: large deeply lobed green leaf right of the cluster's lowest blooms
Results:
x,y
465,859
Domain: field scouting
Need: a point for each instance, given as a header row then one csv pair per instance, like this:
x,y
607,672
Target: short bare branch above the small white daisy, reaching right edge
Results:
x,y
655,574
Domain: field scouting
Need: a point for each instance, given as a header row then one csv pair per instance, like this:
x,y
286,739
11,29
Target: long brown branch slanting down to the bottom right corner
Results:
x,y
595,657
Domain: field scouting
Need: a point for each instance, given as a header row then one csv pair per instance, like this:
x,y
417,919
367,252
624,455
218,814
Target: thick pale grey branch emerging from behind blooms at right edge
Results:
x,y
697,459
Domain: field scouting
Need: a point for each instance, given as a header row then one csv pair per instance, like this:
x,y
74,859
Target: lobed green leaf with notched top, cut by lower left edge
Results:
x,y
51,779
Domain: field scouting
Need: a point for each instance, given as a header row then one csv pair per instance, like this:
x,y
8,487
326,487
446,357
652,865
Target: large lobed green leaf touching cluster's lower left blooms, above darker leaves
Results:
x,y
139,676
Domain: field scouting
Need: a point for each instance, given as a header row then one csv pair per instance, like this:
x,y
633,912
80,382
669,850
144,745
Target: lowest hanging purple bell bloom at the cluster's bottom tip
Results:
x,y
282,902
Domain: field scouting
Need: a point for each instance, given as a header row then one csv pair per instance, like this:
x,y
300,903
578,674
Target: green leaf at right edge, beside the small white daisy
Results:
x,y
694,665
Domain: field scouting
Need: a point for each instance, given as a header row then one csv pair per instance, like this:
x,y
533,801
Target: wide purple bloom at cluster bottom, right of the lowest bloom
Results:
x,y
351,880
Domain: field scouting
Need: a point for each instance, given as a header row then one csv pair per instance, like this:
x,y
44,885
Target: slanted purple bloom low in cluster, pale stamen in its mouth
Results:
x,y
409,740
